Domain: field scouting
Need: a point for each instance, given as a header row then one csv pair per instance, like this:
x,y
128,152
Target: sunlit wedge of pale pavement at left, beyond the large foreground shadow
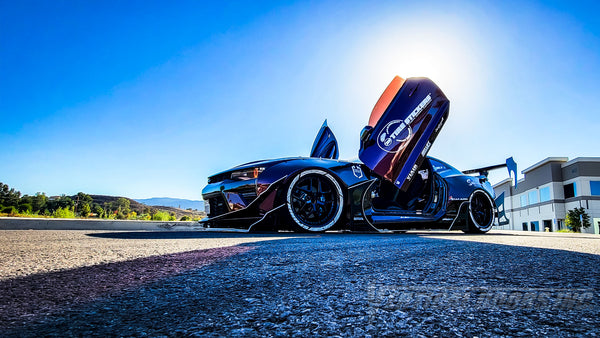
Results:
x,y
24,252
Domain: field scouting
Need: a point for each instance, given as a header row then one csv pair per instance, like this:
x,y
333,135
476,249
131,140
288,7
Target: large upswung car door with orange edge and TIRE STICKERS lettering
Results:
x,y
403,125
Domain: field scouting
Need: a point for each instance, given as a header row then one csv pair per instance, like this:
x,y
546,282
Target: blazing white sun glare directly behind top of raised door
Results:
x,y
447,54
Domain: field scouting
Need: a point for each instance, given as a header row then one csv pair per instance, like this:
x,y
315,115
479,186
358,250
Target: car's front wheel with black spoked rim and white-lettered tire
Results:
x,y
315,201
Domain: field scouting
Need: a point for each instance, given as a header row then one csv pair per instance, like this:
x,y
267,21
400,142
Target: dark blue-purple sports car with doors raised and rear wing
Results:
x,y
394,187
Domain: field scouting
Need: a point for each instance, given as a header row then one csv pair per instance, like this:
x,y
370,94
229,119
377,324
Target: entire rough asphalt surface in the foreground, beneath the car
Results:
x,y
216,284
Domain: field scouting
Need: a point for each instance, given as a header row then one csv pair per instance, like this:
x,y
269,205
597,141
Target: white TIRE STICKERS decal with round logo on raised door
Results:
x,y
396,134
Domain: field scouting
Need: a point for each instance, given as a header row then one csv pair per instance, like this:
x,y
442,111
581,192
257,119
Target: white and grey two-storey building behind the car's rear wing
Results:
x,y
549,189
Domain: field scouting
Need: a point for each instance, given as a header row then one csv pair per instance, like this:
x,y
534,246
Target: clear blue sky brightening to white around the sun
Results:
x,y
148,98
